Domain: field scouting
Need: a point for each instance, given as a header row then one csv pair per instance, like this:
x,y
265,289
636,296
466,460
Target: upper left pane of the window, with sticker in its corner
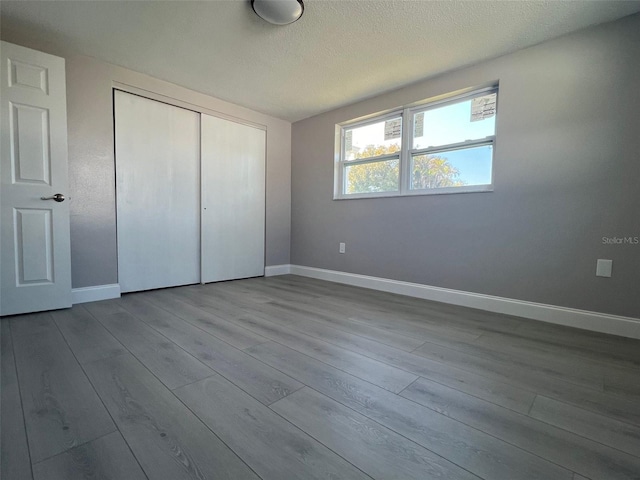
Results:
x,y
371,140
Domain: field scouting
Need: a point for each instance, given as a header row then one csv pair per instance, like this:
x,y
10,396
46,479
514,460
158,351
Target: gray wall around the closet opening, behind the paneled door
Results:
x,y
91,159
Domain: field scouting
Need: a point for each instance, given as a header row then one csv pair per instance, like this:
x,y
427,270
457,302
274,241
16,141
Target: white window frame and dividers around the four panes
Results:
x,y
407,152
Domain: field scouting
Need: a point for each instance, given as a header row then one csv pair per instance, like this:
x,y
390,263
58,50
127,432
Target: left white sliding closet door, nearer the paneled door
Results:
x,y
158,193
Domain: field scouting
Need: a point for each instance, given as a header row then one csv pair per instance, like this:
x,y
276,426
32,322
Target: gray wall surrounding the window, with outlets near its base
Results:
x,y
567,170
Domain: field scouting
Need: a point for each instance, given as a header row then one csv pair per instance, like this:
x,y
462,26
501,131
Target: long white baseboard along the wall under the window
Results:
x,y
598,322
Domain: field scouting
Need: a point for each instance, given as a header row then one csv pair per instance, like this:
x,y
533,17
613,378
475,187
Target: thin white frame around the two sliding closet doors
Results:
x,y
176,102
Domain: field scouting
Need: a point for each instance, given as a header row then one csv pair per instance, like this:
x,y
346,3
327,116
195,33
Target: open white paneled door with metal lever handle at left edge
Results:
x,y
35,253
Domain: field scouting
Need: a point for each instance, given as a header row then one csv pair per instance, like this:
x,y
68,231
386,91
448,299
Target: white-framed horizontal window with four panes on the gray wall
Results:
x,y
446,147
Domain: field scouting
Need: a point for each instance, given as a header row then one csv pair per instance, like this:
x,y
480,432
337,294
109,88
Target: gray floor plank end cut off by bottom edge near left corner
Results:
x,y
106,458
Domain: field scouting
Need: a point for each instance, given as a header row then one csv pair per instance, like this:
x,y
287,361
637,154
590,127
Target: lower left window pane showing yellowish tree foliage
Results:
x,y
373,177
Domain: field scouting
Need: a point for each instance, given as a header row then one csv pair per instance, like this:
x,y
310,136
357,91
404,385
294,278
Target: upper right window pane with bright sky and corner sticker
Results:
x,y
468,120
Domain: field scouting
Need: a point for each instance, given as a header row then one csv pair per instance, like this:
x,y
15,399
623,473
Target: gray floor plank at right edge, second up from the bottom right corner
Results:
x,y
599,428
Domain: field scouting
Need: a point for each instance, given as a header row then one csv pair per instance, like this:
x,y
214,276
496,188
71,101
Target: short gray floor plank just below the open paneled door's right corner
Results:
x,y
87,338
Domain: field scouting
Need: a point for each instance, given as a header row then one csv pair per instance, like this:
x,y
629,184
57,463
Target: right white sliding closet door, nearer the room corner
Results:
x,y
233,200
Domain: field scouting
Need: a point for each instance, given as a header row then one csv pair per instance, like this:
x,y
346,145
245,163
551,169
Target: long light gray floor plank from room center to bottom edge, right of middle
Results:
x,y
475,451
